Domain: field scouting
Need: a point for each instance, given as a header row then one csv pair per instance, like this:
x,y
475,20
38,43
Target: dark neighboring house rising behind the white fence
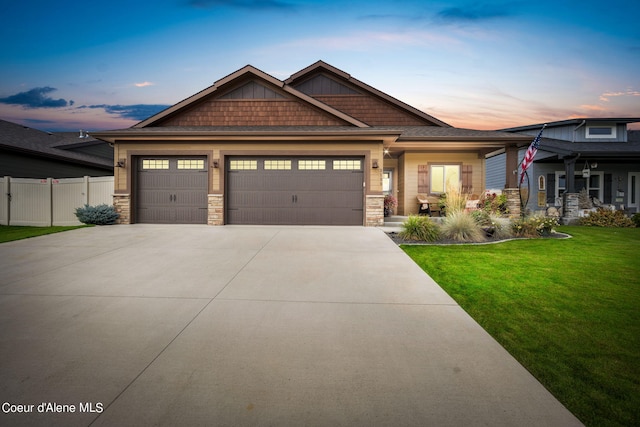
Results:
x,y
31,153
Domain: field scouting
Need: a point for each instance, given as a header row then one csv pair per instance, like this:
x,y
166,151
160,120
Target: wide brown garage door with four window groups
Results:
x,y
295,190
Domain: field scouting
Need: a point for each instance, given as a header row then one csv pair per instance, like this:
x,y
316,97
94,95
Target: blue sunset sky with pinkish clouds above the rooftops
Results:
x,y
474,64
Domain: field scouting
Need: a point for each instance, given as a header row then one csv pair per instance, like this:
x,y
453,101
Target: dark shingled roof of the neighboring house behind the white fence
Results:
x,y
24,139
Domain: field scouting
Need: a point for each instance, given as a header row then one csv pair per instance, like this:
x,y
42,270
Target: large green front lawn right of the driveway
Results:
x,y
566,309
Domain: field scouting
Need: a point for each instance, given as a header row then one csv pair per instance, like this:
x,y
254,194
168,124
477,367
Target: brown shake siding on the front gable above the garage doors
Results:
x,y
262,112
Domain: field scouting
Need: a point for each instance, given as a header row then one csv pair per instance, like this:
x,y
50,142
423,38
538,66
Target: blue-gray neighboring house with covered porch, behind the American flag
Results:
x,y
597,154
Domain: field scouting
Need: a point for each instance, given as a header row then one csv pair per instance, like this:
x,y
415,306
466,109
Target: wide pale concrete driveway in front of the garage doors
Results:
x,y
197,325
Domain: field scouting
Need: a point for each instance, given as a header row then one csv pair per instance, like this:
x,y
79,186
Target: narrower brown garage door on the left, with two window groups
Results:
x,y
171,190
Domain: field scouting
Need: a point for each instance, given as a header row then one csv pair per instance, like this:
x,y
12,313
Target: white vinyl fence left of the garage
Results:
x,y
49,201
